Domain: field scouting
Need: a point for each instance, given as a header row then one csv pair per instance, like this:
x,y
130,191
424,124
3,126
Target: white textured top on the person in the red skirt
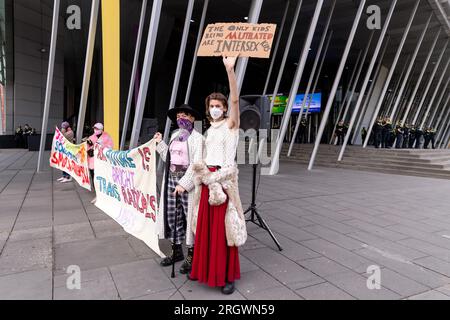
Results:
x,y
221,144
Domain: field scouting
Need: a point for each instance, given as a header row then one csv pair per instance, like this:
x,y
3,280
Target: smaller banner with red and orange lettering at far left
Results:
x,y
71,158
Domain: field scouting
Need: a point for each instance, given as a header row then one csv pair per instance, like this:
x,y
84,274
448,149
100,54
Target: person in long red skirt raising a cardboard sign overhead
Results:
x,y
215,262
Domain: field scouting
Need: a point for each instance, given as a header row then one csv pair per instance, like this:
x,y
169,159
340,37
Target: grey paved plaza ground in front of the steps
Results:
x,y
333,224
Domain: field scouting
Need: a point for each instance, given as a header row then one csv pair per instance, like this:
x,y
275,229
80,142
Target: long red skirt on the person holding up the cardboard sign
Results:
x,y
214,263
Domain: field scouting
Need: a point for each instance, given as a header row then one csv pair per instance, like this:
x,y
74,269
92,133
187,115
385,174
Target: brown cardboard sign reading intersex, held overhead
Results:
x,y
231,39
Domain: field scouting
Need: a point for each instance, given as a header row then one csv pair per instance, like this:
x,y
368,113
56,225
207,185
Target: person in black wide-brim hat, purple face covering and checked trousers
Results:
x,y
184,150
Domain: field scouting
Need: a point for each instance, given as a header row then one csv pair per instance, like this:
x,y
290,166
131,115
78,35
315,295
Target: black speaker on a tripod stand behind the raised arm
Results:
x,y
254,112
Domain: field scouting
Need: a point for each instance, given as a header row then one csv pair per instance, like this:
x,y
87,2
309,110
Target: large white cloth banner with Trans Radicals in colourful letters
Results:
x,y
125,184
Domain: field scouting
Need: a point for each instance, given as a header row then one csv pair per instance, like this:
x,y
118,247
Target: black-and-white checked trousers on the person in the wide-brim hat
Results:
x,y
180,211
